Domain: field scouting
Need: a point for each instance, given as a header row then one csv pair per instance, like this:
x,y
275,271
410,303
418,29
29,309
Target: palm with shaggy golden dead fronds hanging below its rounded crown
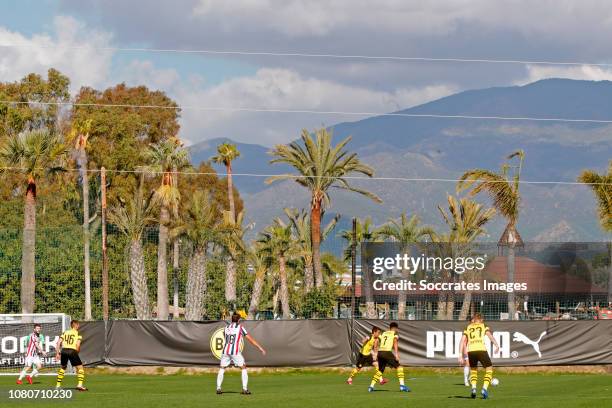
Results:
x,y
165,158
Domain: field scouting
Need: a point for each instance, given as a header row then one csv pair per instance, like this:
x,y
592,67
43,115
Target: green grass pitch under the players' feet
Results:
x,y
302,388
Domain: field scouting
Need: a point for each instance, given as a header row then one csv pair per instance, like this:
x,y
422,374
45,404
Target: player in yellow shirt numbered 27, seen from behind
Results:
x,y
473,340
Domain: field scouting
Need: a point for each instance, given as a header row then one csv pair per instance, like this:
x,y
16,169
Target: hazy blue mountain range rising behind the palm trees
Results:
x,y
443,148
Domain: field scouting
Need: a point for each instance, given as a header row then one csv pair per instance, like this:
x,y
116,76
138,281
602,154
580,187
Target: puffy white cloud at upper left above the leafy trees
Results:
x,y
85,66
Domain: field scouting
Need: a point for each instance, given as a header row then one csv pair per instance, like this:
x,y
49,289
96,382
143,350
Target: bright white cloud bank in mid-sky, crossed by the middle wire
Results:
x,y
282,89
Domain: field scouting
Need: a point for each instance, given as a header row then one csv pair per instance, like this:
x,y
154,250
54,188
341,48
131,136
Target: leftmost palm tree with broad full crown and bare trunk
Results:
x,y
33,155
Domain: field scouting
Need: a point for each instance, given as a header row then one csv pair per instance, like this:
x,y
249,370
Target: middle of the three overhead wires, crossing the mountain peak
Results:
x,y
314,112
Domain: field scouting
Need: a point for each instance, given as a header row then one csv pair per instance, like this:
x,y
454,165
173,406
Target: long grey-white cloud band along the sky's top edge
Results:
x,y
550,18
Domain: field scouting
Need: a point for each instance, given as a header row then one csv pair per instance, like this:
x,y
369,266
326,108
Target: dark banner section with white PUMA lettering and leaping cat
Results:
x,y
431,343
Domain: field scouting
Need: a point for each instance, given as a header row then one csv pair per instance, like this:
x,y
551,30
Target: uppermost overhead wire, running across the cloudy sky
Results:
x,y
309,55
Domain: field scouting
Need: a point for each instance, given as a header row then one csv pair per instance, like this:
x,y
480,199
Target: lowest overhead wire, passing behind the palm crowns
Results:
x,y
298,176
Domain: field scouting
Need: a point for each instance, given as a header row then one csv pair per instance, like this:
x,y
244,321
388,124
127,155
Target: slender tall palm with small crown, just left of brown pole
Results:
x,y
80,135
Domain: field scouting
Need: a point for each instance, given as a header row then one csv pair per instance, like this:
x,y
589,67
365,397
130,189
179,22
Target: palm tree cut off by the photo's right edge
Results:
x,y
602,188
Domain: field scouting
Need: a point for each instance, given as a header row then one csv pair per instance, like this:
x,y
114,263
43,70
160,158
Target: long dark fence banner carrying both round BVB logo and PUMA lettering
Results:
x,y
300,343
